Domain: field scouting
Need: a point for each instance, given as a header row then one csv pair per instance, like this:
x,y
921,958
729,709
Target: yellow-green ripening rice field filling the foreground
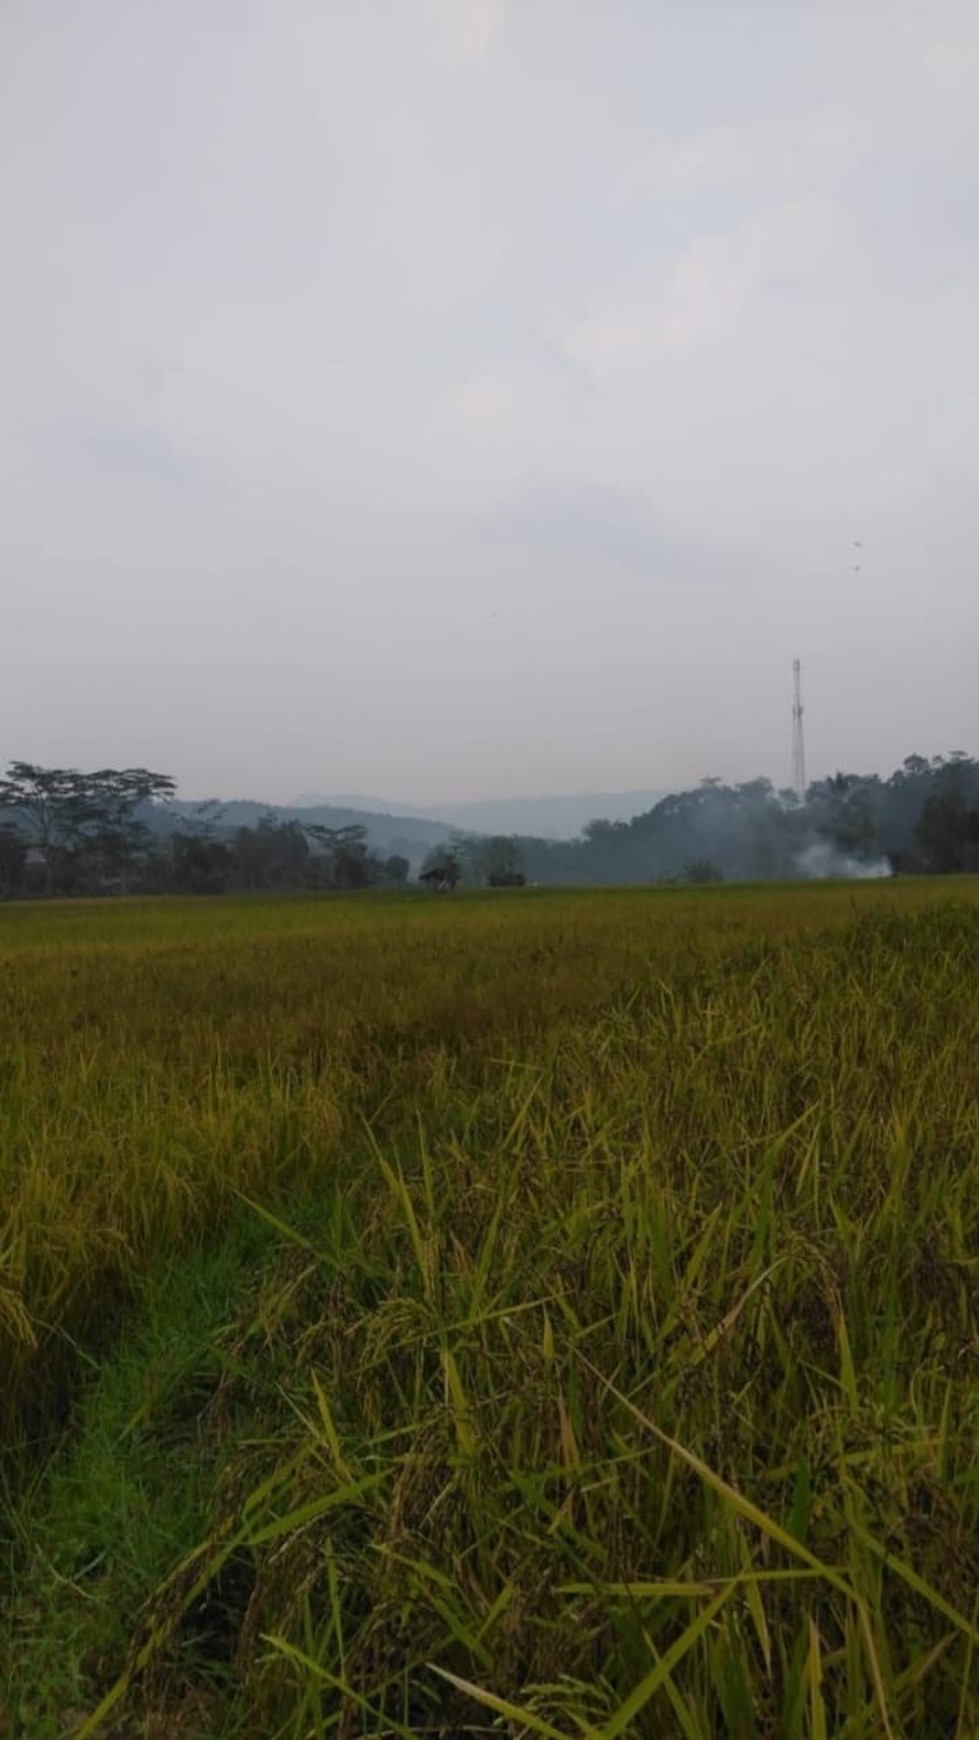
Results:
x,y
502,1315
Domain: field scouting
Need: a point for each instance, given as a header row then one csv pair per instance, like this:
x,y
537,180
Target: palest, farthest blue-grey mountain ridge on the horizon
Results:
x,y
550,819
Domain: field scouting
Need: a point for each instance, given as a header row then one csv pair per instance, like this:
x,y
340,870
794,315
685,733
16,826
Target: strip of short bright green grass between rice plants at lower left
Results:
x,y
131,1494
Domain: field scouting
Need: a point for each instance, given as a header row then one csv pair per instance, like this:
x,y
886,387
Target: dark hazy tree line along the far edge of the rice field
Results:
x,y
121,831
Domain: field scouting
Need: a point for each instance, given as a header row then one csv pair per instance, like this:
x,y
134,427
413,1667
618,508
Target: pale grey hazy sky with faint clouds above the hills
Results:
x,y
483,398
